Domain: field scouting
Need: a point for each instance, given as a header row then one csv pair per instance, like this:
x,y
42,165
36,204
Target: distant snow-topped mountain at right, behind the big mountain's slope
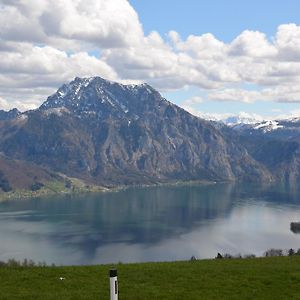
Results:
x,y
274,144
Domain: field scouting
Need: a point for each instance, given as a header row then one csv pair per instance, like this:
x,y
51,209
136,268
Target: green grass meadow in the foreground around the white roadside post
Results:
x,y
262,278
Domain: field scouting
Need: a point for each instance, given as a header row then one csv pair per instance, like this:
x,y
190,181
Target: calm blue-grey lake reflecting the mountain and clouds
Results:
x,y
150,224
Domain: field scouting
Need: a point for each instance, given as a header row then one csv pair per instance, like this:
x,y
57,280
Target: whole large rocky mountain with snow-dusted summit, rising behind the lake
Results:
x,y
107,133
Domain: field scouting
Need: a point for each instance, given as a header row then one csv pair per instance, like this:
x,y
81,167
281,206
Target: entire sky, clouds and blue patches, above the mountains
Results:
x,y
214,58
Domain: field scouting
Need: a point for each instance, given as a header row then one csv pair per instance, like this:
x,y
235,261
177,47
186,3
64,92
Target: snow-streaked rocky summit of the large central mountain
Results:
x,y
98,98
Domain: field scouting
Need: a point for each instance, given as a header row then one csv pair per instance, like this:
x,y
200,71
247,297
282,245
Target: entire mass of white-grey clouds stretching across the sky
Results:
x,y
48,42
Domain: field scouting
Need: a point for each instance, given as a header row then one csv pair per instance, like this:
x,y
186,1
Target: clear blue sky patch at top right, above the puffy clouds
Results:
x,y
224,18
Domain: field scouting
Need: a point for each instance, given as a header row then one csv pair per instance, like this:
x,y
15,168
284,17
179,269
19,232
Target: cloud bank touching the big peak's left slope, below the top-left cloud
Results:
x,y
28,76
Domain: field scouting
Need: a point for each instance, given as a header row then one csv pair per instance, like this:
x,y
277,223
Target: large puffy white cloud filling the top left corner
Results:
x,y
103,23
